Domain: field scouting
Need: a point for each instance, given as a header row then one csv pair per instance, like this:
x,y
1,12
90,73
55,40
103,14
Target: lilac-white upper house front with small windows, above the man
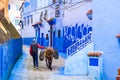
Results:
x,y
40,11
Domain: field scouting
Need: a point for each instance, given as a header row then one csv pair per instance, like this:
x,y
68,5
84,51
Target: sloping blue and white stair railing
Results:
x,y
80,44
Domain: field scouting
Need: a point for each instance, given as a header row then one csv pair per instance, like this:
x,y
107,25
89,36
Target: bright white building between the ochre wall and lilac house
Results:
x,y
14,13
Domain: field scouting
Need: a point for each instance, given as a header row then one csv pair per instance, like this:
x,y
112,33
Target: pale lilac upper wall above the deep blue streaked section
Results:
x,y
77,14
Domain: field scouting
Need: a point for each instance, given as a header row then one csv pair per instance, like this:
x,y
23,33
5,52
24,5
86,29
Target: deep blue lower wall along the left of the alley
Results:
x,y
9,53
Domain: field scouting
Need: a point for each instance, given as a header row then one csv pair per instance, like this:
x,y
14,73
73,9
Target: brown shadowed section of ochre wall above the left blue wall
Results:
x,y
7,30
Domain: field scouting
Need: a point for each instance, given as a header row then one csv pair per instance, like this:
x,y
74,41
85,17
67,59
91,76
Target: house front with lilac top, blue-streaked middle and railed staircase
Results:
x,y
77,27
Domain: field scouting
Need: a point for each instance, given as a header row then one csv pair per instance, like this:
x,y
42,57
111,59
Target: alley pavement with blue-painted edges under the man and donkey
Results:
x,y
24,70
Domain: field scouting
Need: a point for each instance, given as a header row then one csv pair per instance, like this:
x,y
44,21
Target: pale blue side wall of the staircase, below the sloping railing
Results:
x,y
78,63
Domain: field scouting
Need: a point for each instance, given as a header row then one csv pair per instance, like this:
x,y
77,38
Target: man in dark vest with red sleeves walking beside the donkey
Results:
x,y
34,52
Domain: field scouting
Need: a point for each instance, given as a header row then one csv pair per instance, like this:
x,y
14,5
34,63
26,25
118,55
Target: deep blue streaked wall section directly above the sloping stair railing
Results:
x,y
75,32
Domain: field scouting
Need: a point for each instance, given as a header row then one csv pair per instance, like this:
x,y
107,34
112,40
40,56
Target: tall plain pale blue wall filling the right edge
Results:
x,y
106,24
